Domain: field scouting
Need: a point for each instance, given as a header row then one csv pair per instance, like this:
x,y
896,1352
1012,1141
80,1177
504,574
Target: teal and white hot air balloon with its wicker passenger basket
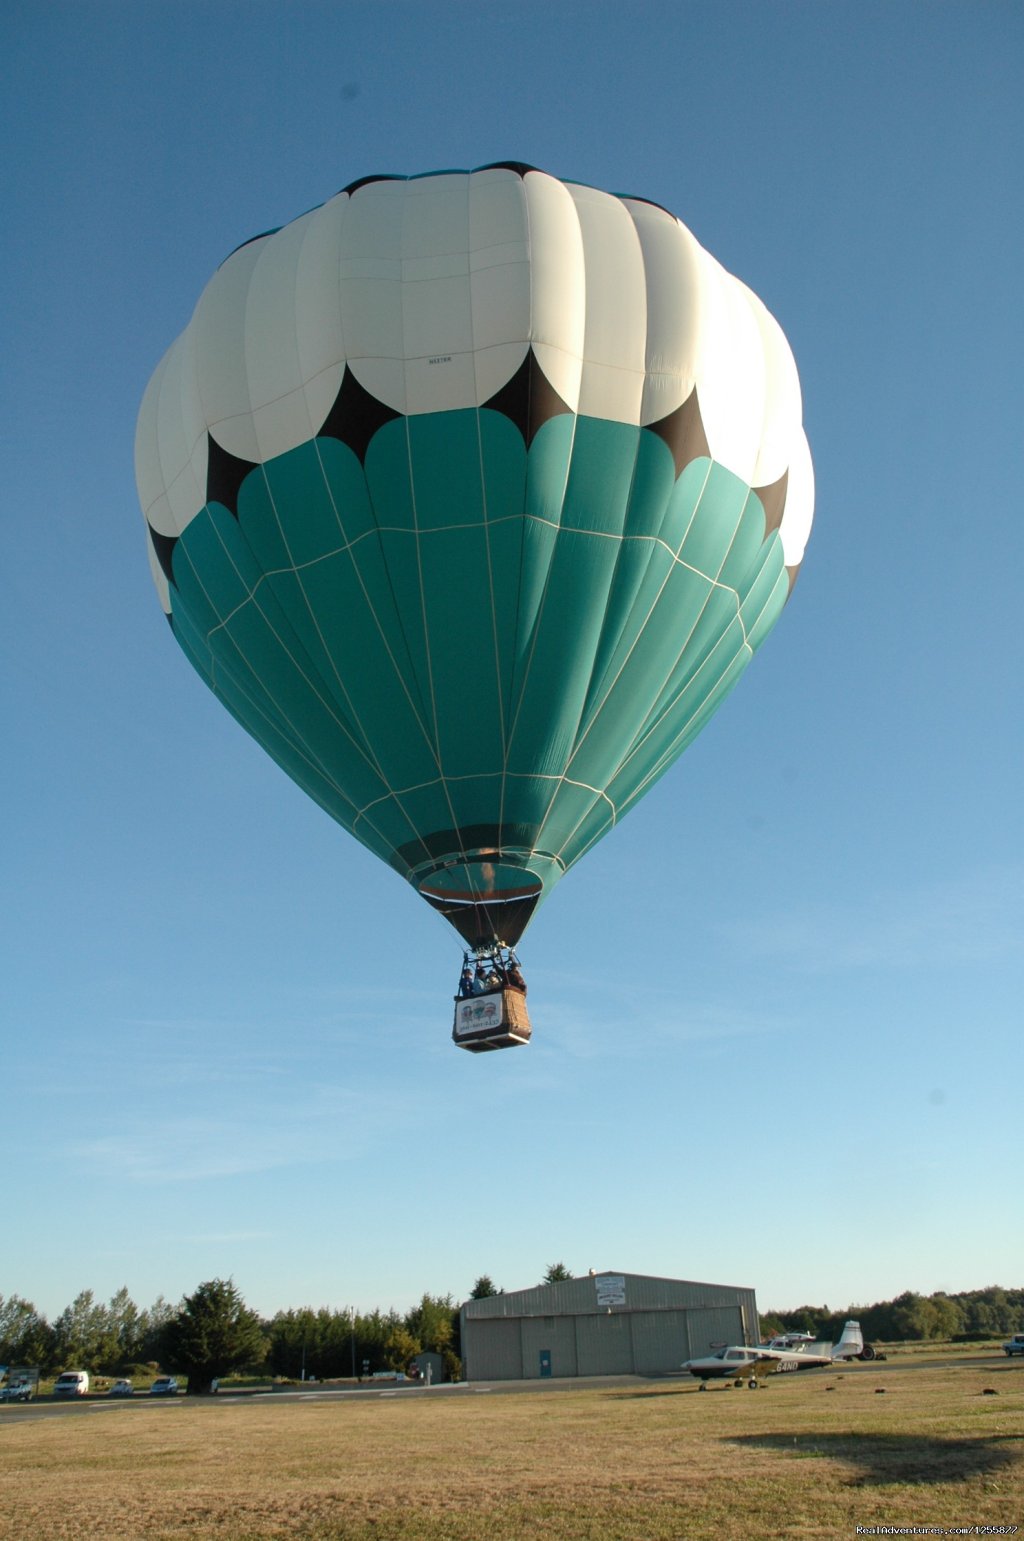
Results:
x,y
472,495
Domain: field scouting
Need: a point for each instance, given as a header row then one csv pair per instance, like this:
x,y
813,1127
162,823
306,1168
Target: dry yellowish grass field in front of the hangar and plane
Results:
x,y
809,1455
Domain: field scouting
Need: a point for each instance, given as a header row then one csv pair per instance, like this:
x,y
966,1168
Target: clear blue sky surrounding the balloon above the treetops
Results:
x,y
778,1012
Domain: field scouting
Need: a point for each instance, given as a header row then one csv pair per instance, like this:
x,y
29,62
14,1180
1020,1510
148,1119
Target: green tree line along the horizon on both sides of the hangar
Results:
x,y
213,1334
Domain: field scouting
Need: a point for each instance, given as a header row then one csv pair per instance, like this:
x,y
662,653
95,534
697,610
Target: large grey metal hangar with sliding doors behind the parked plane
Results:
x,y
603,1324
